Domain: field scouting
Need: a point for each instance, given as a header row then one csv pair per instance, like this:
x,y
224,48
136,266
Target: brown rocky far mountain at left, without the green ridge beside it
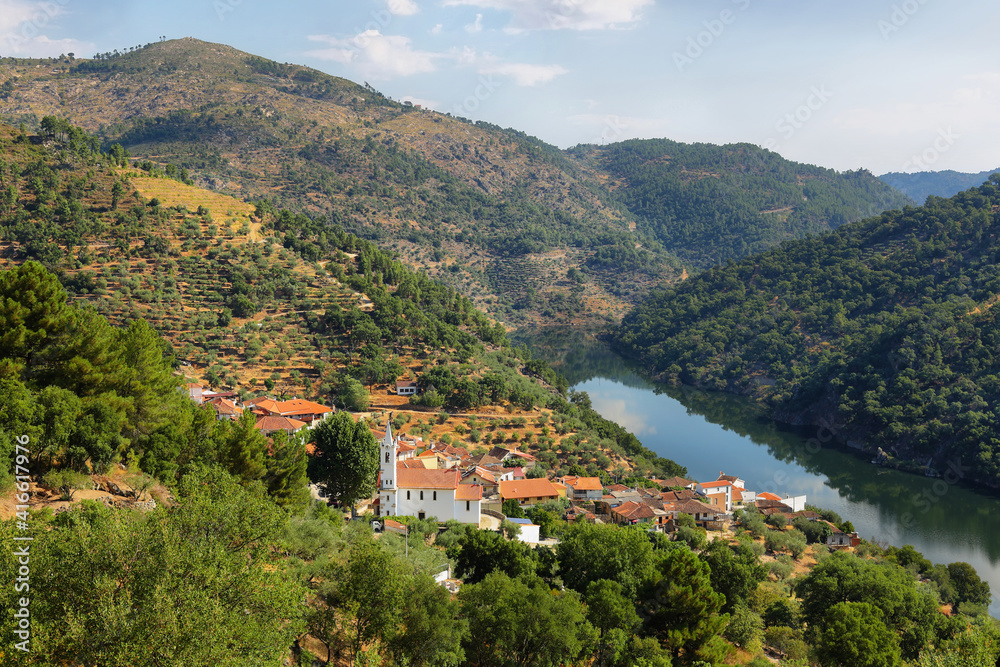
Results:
x,y
498,215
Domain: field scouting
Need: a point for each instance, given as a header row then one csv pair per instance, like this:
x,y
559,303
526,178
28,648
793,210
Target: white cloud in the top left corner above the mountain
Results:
x,y
22,28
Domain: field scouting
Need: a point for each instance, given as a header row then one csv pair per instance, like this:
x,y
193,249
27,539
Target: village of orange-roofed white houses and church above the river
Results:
x,y
438,480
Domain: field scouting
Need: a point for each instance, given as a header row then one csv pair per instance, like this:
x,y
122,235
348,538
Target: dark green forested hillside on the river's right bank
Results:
x,y
883,331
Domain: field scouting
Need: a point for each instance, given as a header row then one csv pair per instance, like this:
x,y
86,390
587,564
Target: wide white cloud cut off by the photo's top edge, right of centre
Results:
x,y
563,14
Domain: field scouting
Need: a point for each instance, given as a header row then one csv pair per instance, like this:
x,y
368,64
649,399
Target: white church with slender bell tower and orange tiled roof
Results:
x,y
424,493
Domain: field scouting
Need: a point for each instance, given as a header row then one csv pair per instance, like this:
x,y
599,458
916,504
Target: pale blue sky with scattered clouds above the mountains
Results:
x,y
886,85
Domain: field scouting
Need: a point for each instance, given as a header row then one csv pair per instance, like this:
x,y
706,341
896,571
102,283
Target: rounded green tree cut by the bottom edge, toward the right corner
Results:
x,y
853,634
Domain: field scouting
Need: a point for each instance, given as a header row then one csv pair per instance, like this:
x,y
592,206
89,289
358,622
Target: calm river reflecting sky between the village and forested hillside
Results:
x,y
709,432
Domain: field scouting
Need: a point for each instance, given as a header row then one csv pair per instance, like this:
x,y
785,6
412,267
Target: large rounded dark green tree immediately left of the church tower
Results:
x,y
345,463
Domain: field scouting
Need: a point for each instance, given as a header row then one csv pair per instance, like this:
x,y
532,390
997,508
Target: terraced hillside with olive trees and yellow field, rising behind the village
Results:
x,y
253,301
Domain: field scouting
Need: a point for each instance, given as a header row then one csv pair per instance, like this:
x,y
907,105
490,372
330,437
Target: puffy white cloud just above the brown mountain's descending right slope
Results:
x,y
376,55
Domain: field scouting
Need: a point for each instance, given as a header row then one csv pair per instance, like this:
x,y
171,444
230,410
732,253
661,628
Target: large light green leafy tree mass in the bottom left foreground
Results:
x,y
140,588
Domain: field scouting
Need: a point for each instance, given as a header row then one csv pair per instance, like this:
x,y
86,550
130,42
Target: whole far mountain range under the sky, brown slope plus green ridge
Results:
x,y
534,235
